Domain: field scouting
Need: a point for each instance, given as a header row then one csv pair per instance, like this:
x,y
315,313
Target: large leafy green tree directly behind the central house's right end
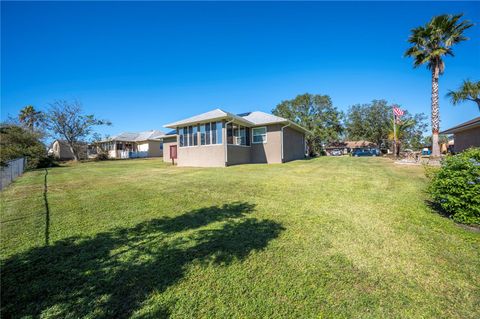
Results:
x,y
317,114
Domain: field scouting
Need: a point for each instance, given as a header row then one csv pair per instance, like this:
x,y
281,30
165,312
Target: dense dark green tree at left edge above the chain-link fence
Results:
x,y
16,141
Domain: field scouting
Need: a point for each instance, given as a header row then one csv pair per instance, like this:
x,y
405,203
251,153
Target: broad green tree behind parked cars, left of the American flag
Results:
x,y
369,121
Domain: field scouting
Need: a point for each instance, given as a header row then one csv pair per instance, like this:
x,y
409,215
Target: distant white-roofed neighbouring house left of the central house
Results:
x,y
133,145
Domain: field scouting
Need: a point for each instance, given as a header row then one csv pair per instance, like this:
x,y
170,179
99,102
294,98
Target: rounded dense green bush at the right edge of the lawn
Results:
x,y
455,187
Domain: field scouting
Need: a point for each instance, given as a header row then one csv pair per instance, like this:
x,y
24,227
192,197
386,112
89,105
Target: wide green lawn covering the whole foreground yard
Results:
x,y
323,238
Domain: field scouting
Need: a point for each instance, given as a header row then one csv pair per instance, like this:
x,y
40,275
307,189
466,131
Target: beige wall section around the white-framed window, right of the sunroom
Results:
x,y
269,152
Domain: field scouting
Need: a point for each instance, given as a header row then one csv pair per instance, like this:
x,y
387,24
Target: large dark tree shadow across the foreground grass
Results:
x,y
113,273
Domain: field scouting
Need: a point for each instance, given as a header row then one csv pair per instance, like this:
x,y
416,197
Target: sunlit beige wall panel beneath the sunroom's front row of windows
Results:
x,y
201,156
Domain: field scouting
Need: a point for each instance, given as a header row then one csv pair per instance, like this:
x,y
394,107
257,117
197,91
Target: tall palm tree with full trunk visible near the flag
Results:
x,y
430,44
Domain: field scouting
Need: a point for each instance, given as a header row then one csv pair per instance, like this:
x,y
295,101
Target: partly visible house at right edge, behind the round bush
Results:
x,y
465,135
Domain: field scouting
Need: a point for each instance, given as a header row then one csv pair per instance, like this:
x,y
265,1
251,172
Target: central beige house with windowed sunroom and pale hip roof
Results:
x,y
220,138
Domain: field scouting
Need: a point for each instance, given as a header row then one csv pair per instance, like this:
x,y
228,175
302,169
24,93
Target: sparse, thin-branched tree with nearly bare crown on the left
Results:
x,y
67,121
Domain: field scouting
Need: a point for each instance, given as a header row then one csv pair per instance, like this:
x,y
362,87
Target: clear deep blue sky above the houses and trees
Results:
x,y
142,65
